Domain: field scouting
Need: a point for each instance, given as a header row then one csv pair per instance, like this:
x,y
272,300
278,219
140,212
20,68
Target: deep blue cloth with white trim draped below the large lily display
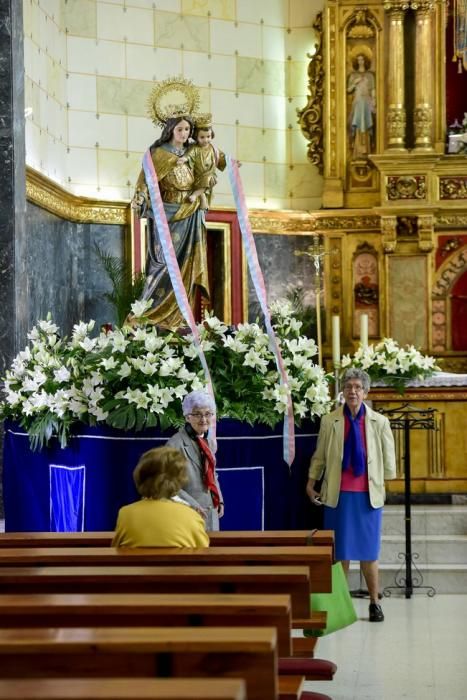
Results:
x,y
82,486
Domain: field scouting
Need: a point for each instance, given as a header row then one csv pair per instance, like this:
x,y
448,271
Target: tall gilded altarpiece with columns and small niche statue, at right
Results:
x,y
395,204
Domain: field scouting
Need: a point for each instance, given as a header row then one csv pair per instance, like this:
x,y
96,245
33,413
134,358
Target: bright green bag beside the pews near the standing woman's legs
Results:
x,y
338,604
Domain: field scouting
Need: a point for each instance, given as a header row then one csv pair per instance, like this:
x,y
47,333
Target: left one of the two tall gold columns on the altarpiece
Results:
x,y
395,120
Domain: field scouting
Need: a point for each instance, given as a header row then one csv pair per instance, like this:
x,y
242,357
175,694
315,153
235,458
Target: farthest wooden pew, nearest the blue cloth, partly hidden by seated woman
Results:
x,y
240,538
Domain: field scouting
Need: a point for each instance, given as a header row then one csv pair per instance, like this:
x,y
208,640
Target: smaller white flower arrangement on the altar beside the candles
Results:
x,y
391,364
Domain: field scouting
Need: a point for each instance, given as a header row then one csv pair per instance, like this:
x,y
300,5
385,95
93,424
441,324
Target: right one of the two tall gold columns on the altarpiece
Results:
x,y
424,67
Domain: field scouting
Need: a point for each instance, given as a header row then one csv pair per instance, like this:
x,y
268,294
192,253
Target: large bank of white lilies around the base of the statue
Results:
x,y
135,377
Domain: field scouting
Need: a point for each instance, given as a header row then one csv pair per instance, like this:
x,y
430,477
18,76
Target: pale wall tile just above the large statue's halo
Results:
x,y
151,63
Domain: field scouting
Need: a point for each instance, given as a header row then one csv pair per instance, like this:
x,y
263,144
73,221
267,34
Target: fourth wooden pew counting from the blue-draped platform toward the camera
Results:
x,y
150,610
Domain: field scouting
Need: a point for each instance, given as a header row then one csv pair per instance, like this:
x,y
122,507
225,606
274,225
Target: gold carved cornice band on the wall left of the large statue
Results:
x,y
48,195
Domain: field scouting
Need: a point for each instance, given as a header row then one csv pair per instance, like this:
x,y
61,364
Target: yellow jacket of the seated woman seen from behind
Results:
x,y
159,523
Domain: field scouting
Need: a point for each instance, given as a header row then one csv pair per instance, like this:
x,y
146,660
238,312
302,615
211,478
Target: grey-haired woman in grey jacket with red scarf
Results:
x,y
202,491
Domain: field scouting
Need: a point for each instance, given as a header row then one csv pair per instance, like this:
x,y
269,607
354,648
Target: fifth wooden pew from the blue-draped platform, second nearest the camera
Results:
x,y
234,652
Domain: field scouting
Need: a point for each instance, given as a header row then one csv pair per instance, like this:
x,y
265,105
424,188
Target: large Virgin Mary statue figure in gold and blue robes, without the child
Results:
x,y
186,223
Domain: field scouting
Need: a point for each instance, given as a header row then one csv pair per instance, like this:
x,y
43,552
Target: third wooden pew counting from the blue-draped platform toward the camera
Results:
x,y
264,580
